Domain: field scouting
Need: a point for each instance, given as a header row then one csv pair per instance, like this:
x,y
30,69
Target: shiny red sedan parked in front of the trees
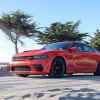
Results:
x,y
57,59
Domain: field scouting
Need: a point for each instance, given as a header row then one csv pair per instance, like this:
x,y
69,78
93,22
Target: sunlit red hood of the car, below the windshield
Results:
x,y
32,52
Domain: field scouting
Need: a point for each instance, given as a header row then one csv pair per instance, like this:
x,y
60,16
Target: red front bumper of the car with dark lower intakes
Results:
x,y
30,67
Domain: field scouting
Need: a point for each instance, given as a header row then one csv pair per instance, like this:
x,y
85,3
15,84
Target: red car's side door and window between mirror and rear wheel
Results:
x,y
84,59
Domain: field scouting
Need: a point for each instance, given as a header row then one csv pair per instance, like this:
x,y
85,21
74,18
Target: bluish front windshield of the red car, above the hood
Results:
x,y
56,46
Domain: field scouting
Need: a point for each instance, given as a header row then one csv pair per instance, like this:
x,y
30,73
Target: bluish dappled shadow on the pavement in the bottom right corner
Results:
x,y
81,94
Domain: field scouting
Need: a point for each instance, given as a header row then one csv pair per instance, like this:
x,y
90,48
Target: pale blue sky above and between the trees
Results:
x,y
47,11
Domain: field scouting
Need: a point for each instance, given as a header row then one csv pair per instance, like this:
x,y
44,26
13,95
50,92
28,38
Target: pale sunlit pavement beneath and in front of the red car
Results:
x,y
77,87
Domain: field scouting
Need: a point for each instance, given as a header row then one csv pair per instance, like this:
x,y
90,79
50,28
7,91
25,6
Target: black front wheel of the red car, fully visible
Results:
x,y
57,68
